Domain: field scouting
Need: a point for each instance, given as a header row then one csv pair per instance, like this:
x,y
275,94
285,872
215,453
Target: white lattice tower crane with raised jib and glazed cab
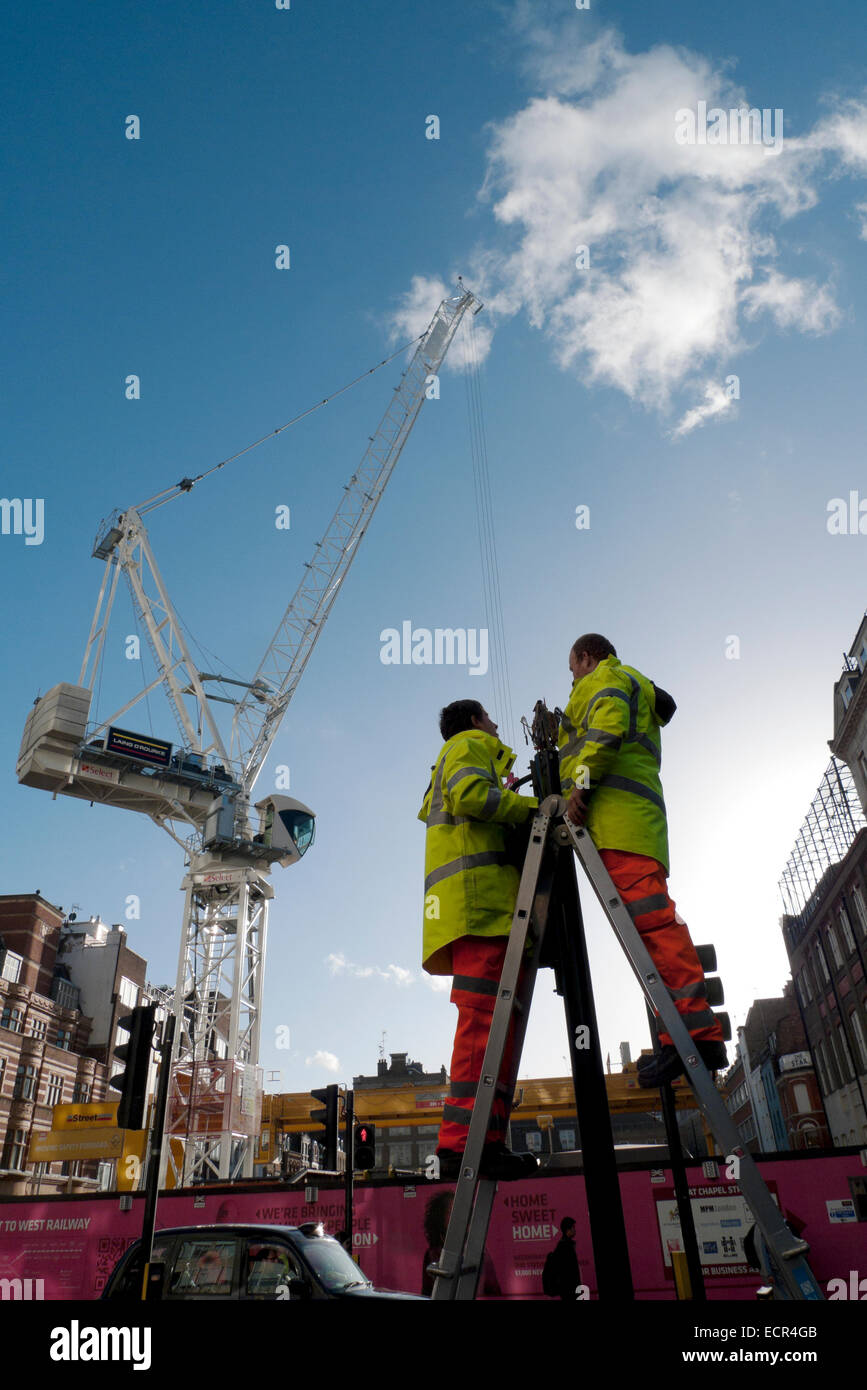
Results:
x,y
205,783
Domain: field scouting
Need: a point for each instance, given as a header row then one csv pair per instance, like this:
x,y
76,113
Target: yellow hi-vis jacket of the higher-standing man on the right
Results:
x,y
611,744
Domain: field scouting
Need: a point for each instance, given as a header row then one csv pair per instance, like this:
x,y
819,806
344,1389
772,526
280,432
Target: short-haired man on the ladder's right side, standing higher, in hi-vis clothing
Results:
x,y
611,754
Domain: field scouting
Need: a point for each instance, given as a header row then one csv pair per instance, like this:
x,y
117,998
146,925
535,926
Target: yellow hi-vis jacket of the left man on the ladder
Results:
x,y
470,886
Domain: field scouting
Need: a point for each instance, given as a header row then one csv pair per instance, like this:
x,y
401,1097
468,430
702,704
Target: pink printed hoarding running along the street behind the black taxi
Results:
x,y
74,1243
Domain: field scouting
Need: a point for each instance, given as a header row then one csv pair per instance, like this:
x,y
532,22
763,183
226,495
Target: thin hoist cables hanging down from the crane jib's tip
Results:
x,y
487,539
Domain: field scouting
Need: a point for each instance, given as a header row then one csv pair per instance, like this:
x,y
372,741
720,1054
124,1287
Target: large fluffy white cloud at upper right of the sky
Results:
x,y
683,238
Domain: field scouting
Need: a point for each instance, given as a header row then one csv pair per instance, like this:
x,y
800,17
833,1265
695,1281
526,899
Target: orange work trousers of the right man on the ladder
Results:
x,y
644,886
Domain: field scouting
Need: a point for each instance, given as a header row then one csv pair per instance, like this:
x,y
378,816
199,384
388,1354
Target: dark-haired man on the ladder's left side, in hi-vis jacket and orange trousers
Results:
x,y
470,900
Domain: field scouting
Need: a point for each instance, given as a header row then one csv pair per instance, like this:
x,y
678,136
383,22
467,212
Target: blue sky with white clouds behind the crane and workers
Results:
x,y
602,387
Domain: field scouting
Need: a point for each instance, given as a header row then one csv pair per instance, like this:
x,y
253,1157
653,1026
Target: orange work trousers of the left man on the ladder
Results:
x,y
479,965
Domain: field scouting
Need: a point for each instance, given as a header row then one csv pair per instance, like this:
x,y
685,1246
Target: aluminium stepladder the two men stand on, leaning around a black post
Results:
x,y
459,1264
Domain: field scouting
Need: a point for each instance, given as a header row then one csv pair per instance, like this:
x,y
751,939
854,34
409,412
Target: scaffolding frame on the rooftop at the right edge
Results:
x,y
826,837
